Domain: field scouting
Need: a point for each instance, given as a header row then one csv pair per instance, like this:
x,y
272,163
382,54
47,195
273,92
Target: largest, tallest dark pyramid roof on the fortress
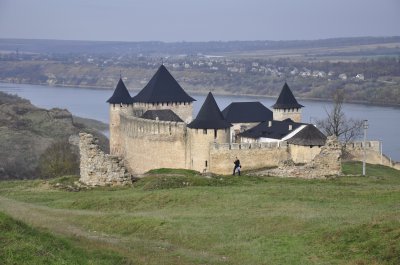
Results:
x,y
162,87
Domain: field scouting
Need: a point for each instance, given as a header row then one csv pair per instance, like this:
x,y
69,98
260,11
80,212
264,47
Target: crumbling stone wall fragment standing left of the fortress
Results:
x,y
97,168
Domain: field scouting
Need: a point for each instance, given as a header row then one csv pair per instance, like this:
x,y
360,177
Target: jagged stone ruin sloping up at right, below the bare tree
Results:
x,y
328,163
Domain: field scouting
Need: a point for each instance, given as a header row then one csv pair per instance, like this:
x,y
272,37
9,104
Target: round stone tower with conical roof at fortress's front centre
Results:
x,y
208,127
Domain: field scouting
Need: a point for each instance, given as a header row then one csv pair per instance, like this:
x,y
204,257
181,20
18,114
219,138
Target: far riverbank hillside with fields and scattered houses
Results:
x,y
313,74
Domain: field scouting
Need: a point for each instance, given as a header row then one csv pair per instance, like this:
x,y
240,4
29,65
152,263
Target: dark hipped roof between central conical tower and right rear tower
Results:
x,y
241,112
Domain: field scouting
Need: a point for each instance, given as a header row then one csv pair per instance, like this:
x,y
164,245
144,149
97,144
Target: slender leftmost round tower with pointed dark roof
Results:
x,y
120,102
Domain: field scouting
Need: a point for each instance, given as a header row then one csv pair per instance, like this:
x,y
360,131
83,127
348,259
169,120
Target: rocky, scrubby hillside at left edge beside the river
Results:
x,y
26,131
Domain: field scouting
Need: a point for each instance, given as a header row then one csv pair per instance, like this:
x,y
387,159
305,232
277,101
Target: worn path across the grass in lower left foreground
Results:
x,y
59,221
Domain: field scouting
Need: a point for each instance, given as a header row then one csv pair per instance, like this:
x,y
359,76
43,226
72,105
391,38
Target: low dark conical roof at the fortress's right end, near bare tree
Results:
x,y
308,136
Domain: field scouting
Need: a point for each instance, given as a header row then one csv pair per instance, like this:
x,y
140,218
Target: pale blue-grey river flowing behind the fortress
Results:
x,y
384,122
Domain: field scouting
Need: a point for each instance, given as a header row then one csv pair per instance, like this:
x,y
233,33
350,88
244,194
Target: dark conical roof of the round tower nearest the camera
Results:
x,y
209,116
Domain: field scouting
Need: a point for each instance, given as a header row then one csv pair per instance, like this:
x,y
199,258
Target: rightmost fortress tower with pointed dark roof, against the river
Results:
x,y
286,106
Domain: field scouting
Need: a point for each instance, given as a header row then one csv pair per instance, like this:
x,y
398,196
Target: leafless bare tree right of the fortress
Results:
x,y
336,123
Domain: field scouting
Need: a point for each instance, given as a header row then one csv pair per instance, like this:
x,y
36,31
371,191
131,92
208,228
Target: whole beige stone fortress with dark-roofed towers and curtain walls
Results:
x,y
155,129
